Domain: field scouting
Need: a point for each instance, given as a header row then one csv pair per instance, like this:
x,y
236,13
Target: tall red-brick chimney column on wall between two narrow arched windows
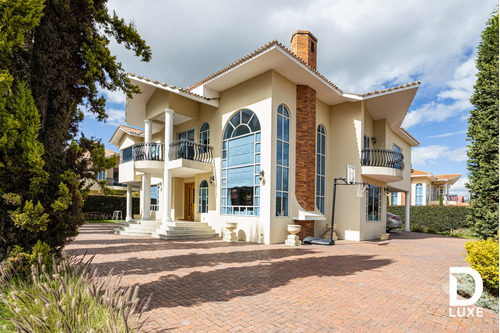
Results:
x,y
305,156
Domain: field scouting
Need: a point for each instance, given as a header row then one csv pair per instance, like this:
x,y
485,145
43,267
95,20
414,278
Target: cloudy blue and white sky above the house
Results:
x,y
362,46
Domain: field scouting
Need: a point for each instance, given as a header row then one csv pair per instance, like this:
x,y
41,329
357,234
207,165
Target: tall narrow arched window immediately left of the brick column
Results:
x,y
282,161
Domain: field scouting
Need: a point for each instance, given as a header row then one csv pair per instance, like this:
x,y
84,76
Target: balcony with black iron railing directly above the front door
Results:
x,y
188,158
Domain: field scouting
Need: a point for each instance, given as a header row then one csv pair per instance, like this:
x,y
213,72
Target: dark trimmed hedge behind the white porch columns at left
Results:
x,y
107,204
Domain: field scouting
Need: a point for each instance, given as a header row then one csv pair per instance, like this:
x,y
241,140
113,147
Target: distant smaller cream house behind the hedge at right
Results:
x,y
426,189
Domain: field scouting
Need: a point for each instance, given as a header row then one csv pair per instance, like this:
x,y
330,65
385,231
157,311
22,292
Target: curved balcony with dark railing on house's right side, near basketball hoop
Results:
x,y
385,165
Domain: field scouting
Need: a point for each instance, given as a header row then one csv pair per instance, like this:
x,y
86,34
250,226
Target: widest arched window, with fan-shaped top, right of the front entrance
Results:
x,y
240,193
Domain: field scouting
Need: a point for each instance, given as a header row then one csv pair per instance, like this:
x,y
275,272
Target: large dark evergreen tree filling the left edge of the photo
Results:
x,y
56,54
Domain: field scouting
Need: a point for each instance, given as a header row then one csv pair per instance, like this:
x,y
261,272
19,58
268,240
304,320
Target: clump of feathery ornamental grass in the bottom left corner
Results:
x,y
71,299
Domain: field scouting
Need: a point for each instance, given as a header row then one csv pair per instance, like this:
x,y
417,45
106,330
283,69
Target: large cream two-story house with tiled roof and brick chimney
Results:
x,y
260,143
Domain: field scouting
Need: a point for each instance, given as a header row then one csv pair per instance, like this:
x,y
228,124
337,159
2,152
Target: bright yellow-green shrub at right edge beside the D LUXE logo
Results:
x,y
483,257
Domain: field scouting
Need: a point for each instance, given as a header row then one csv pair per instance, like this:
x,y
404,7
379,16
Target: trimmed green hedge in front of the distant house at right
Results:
x,y
439,218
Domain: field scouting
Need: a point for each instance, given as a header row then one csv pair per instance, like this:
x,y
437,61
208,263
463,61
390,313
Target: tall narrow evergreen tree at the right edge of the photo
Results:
x,y
483,136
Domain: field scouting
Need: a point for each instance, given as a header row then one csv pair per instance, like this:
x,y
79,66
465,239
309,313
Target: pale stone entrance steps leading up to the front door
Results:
x,y
168,230
